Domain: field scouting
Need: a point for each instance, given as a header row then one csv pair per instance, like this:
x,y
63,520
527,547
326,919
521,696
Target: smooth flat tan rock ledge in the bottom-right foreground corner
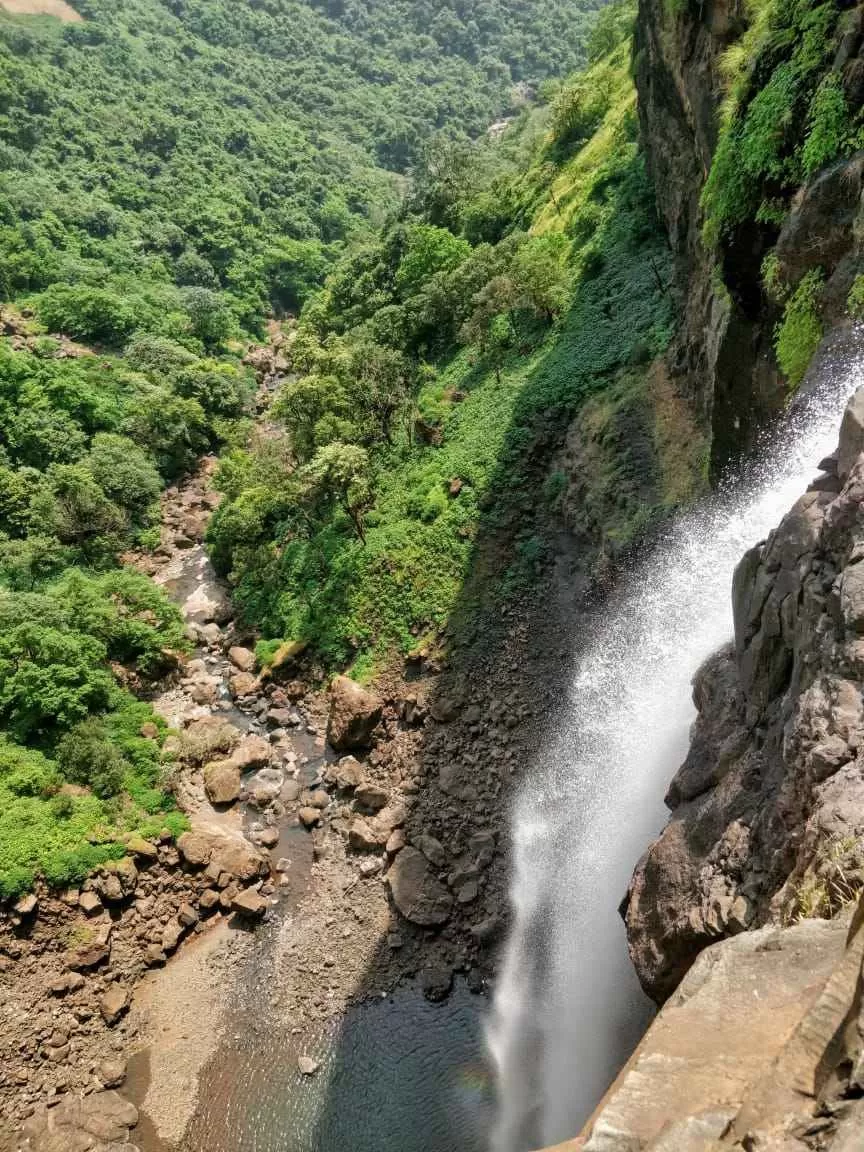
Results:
x,y
762,1048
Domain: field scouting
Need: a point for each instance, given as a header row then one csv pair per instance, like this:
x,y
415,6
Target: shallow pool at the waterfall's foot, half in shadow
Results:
x,y
397,1075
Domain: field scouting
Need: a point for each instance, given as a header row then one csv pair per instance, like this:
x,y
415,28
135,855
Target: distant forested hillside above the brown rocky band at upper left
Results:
x,y
186,168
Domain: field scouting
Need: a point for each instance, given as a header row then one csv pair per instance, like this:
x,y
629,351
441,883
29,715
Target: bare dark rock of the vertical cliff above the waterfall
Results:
x,y
723,358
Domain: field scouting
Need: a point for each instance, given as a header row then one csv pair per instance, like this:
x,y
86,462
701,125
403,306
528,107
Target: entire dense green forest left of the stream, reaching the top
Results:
x,y
171,176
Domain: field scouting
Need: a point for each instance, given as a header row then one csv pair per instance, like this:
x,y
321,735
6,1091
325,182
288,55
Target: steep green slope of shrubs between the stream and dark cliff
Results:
x,y
438,369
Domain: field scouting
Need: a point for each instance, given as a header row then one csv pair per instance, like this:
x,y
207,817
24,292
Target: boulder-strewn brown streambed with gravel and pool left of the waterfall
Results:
x,y
343,878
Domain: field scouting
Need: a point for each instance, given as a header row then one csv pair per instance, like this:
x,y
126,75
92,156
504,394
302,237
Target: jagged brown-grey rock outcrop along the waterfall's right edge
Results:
x,y
769,807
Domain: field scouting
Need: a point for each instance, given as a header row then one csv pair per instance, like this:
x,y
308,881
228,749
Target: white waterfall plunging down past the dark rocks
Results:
x,y
569,1009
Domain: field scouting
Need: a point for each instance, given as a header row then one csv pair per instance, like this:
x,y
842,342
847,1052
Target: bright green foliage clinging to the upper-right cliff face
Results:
x,y
793,108
